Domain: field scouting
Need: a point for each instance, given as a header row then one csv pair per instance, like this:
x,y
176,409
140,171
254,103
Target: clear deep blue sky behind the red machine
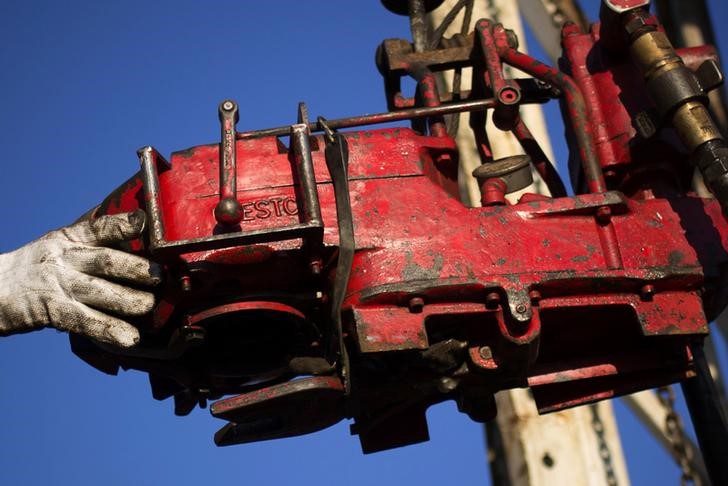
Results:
x,y
86,83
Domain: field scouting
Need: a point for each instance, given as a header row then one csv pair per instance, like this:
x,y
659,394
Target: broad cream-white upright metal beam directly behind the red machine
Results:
x,y
561,447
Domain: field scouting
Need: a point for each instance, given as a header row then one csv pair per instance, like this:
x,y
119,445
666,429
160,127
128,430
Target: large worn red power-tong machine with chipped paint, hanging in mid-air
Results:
x,y
317,275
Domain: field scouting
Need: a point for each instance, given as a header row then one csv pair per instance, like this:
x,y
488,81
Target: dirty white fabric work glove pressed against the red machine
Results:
x,y
67,279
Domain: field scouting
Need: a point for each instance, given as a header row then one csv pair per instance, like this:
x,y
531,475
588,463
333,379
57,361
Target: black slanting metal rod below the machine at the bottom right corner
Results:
x,y
711,426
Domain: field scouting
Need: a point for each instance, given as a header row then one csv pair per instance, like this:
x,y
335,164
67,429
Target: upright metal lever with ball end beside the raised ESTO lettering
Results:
x,y
228,211
